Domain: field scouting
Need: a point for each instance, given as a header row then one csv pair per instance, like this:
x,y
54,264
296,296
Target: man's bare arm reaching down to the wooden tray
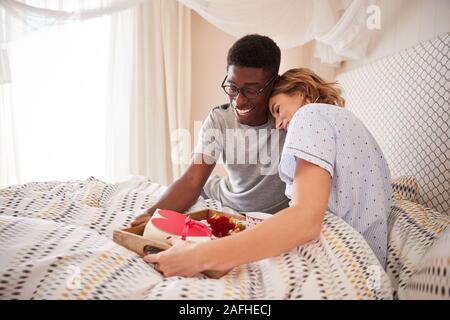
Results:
x,y
183,192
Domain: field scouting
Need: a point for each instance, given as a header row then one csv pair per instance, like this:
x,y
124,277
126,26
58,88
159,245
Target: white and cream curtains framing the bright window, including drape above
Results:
x,y
148,80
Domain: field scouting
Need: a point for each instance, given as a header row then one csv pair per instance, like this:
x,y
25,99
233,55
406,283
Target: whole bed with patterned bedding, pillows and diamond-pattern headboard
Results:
x,y
57,236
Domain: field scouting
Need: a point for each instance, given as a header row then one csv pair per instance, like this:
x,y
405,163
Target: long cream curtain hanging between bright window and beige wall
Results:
x,y
149,90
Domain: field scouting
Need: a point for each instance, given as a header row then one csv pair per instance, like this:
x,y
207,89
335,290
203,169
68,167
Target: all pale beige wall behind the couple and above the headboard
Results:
x,y
404,23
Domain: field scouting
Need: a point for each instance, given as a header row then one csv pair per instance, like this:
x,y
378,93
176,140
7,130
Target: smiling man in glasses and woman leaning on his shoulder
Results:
x,y
305,154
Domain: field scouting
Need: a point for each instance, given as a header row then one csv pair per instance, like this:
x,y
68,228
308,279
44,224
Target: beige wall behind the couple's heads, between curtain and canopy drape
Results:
x,y
209,51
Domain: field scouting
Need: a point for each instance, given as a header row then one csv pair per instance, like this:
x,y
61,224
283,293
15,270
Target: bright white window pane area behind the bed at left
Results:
x,y
59,91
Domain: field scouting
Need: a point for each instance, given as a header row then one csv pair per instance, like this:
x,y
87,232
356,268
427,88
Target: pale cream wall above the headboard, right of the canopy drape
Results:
x,y
405,23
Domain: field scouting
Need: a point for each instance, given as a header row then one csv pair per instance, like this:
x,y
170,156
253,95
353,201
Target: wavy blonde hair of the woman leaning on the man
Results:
x,y
312,87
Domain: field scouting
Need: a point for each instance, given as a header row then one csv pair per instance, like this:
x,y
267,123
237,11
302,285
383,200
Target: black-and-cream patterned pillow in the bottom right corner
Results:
x,y
432,277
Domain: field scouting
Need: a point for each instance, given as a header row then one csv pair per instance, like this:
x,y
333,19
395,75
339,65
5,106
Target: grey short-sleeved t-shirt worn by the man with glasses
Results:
x,y
251,156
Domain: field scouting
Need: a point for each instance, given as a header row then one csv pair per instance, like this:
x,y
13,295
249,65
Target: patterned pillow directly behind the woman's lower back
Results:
x,y
412,232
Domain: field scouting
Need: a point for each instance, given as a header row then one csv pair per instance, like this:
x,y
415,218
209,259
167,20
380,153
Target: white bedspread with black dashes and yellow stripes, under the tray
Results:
x,y
57,244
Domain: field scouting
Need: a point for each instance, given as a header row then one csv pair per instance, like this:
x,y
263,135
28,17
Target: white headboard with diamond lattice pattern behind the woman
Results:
x,y
403,99
